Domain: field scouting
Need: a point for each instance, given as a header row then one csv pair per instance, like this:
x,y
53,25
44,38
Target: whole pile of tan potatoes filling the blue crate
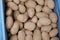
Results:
x,y
31,20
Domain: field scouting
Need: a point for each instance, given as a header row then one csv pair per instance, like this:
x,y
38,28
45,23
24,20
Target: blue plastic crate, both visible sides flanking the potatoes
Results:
x,y
3,32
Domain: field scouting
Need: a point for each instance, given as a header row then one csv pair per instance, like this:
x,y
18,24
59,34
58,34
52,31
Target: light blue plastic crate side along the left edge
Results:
x,y
2,25
